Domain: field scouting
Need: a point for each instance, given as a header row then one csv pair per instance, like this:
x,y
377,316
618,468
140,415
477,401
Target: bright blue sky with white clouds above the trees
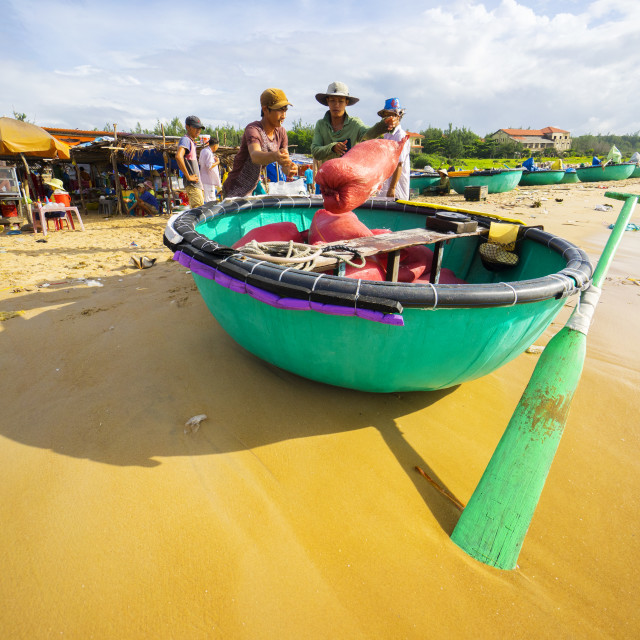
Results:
x,y
483,64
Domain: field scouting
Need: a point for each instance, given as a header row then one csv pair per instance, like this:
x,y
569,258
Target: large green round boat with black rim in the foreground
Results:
x,y
375,336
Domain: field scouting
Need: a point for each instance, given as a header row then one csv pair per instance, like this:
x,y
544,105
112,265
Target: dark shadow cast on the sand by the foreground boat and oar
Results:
x,y
111,374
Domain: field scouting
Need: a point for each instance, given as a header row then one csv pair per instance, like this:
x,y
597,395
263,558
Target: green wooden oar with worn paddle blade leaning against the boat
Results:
x,y
494,523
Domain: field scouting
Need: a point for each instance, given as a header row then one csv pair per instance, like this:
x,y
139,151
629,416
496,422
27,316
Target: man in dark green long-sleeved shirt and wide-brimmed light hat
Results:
x,y
337,132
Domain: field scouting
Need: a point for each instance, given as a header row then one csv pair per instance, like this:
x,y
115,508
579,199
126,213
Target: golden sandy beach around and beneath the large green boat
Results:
x,y
295,510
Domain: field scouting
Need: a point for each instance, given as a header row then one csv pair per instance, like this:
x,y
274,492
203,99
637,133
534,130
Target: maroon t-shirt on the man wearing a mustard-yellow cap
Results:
x,y
243,177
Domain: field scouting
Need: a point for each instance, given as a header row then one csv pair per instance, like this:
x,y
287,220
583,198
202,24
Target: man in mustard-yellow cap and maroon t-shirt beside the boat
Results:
x,y
263,142
